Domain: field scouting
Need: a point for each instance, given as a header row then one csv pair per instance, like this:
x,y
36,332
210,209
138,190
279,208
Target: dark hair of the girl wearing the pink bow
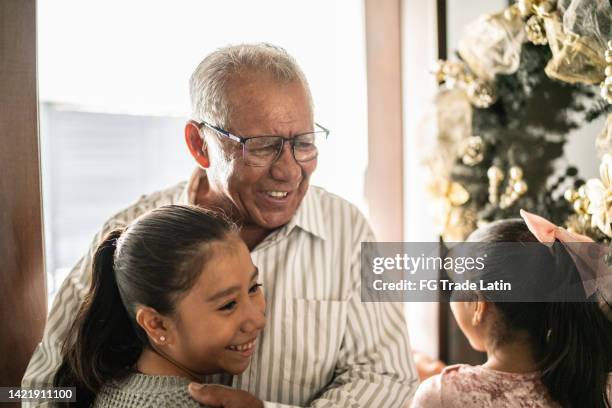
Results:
x,y
572,342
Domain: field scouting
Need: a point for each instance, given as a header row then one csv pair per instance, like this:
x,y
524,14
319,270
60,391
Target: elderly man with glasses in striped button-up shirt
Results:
x,y
254,139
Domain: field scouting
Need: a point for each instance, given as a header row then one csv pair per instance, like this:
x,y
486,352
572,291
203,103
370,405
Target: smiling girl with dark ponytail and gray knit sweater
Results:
x,y
173,298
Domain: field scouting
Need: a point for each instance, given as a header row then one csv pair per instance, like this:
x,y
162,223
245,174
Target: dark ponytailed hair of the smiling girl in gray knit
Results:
x,y
152,263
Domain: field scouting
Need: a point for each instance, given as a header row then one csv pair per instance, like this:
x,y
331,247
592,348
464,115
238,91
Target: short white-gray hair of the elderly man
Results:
x,y
208,85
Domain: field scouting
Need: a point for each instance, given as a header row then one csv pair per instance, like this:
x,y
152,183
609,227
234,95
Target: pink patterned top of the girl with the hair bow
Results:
x,y
462,386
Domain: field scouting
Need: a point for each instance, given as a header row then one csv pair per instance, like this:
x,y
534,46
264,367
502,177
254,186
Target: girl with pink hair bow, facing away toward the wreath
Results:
x,y
545,354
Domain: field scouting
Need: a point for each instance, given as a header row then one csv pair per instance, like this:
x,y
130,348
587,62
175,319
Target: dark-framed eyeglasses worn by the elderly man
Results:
x,y
259,151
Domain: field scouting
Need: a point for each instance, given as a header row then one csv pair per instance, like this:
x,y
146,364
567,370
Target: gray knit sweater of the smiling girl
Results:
x,y
141,390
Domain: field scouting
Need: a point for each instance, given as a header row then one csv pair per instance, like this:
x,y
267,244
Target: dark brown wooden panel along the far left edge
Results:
x,y
22,284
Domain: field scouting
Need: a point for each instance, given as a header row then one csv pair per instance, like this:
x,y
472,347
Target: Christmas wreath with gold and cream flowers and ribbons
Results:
x,y
523,79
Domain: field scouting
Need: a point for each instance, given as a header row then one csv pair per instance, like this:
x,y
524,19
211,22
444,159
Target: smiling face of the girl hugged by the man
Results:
x,y
217,322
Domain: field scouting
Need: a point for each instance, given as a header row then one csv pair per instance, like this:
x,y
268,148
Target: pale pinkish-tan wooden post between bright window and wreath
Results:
x,y
384,177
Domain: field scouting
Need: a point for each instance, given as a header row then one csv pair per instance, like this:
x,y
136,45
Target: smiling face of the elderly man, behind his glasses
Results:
x,y
266,196
